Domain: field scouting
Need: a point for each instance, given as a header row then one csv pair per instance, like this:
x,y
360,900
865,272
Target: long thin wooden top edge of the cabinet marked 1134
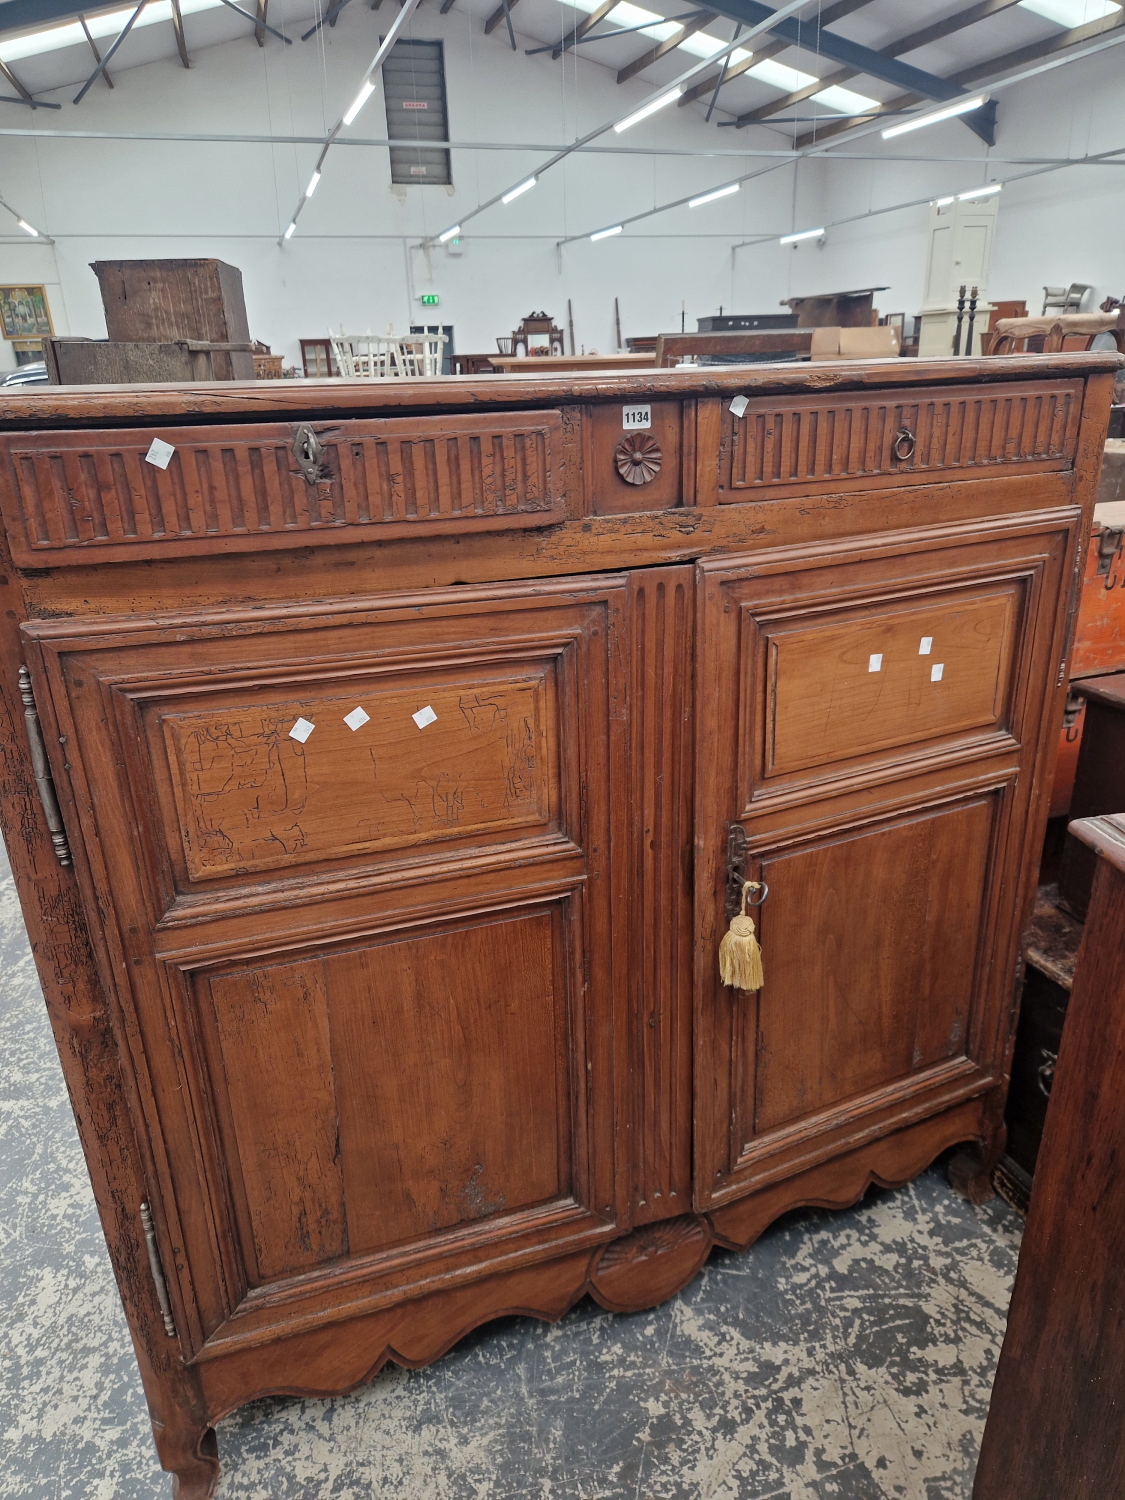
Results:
x,y
83,406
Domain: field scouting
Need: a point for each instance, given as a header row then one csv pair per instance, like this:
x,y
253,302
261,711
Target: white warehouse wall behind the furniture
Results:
x,y
349,262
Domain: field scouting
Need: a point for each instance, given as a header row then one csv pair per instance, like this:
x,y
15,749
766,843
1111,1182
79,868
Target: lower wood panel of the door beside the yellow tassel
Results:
x,y
874,937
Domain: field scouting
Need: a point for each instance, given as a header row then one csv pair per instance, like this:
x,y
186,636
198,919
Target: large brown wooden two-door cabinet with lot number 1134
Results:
x,y
407,755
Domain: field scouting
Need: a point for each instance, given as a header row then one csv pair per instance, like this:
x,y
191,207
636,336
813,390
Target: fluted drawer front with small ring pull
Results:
x,y
817,445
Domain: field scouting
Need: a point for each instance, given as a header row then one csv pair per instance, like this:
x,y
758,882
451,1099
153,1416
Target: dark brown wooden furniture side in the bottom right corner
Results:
x,y
1054,1430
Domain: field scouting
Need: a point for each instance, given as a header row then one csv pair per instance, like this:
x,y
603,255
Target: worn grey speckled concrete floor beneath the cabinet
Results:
x,y
847,1357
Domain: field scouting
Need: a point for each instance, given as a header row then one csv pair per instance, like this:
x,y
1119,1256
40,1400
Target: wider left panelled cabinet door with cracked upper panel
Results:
x,y
350,874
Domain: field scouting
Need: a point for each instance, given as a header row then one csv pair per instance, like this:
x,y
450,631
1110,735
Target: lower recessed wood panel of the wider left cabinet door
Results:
x,y
371,1097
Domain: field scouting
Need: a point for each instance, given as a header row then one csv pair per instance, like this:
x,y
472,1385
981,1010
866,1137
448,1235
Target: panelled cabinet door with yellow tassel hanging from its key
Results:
x,y
869,737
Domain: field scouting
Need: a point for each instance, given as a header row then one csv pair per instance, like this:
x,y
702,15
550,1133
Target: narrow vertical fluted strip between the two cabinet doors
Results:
x,y
661,766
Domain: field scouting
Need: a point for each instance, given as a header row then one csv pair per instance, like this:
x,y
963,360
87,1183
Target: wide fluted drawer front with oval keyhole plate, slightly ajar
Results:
x,y
71,496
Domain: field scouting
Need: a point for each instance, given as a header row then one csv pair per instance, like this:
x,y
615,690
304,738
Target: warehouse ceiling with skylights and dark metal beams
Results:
x,y
820,73
